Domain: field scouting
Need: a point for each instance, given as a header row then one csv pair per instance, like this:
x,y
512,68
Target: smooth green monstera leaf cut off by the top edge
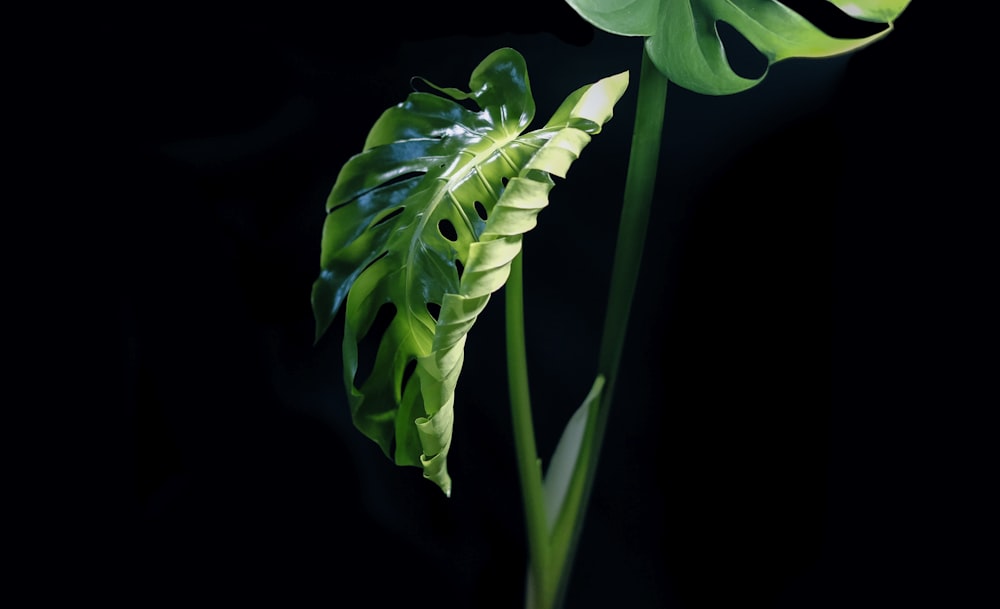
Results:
x,y
683,42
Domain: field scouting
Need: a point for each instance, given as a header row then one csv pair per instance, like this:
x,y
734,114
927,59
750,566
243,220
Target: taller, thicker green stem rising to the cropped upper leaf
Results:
x,y
638,196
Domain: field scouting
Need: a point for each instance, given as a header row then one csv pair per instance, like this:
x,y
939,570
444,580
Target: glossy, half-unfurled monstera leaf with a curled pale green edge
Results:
x,y
425,222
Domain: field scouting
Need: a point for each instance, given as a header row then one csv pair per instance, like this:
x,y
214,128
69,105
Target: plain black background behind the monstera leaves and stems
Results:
x,y
799,421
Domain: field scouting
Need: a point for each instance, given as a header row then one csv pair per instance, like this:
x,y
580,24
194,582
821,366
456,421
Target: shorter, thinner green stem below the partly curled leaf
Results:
x,y
528,464
